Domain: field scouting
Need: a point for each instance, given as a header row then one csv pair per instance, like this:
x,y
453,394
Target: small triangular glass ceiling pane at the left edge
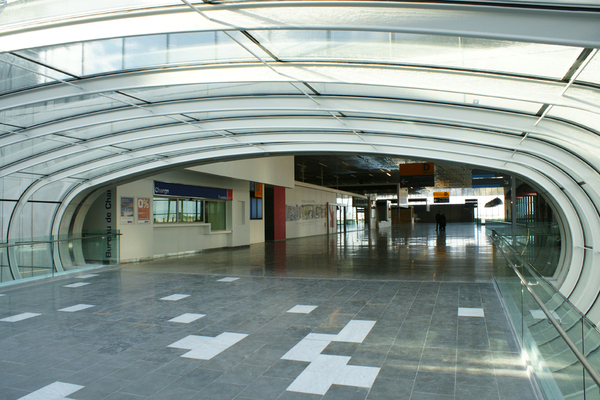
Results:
x,y
17,74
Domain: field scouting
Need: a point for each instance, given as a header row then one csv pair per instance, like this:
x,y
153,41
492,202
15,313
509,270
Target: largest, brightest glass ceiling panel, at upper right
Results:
x,y
498,56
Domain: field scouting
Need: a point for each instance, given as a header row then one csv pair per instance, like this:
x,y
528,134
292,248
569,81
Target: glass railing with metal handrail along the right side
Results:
x,y
561,344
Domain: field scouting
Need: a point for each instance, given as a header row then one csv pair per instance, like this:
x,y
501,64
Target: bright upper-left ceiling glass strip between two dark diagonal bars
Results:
x,y
136,52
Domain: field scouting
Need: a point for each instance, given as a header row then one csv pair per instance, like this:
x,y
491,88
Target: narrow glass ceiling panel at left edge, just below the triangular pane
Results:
x,y
38,113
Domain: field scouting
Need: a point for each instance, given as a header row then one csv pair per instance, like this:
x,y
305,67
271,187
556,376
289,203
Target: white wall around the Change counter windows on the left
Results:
x,y
306,207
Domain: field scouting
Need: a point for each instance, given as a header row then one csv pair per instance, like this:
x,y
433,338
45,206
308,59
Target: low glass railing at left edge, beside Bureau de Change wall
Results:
x,y
34,258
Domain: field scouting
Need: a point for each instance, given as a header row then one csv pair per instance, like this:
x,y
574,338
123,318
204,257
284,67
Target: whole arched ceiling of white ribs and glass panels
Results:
x,y
92,92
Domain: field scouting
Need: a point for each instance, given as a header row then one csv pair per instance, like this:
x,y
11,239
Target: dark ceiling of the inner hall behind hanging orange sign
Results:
x,y
367,174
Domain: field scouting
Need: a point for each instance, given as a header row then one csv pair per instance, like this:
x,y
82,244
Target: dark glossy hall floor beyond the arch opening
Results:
x,y
461,254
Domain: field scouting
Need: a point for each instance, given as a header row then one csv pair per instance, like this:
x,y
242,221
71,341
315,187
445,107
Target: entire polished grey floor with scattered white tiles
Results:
x,y
396,314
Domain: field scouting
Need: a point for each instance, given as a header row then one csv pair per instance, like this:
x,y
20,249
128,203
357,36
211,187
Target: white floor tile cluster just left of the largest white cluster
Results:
x,y
206,347
